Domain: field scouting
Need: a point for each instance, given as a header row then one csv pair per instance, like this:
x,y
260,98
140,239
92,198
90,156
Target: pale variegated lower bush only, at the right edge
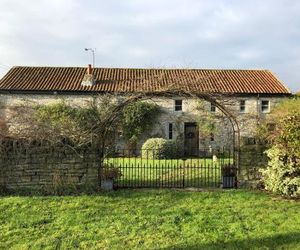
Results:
x,y
282,175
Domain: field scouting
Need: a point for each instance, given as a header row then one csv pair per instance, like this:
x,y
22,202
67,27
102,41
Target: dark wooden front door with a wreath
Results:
x,y
191,139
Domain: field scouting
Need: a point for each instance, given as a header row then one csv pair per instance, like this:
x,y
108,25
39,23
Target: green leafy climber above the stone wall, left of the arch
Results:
x,y
80,125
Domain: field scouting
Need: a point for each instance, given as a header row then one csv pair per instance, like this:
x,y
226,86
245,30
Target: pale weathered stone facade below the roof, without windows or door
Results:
x,y
193,110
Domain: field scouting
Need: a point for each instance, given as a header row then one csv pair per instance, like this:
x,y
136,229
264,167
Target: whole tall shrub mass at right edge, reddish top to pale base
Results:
x,y
283,172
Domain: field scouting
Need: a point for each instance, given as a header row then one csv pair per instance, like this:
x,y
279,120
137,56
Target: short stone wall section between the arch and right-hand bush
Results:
x,y
252,158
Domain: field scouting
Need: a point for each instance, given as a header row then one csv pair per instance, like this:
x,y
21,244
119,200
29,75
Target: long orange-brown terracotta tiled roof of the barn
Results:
x,y
136,80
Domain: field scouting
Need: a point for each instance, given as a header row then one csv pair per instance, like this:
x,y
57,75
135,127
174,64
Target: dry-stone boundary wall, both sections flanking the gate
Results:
x,y
47,169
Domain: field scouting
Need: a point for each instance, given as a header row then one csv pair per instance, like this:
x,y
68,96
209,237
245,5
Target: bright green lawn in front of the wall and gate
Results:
x,y
151,219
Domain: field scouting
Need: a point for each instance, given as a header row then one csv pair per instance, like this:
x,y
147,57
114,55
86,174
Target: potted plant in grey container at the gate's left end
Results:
x,y
108,173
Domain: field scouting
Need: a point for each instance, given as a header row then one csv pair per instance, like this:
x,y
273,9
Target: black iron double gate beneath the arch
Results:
x,y
137,169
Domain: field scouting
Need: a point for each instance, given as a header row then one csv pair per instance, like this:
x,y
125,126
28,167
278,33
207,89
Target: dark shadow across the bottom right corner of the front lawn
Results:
x,y
278,241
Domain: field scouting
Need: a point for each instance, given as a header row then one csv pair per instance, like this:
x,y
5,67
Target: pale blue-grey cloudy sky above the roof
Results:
x,y
223,34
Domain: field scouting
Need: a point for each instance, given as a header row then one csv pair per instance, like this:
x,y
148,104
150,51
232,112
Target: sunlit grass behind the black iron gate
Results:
x,y
138,172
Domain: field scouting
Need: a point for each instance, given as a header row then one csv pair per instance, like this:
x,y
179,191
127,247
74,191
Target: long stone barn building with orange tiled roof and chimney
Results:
x,y
249,95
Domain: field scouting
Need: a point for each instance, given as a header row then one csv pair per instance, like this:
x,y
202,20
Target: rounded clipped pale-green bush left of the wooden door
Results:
x,y
159,148
